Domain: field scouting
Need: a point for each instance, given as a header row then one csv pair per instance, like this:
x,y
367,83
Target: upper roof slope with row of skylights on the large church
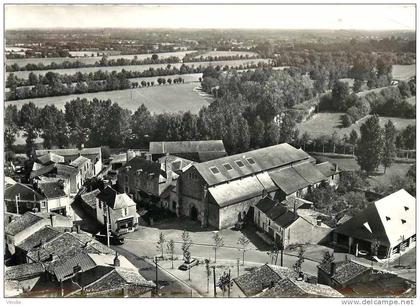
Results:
x,y
263,160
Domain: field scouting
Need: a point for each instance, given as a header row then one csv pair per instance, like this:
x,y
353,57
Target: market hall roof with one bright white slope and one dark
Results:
x,y
385,220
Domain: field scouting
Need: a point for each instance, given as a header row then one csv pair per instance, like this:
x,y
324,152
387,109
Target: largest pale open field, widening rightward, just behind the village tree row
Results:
x,y
158,99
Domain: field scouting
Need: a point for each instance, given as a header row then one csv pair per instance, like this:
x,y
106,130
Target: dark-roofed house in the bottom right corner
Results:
x,y
353,279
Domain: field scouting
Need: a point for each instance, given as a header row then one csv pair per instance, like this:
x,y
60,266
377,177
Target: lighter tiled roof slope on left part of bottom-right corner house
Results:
x,y
344,271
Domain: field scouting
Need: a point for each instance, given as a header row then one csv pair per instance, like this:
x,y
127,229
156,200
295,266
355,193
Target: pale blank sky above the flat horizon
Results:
x,y
356,17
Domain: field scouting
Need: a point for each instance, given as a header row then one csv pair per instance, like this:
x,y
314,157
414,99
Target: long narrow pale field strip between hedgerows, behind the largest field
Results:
x,y
140,68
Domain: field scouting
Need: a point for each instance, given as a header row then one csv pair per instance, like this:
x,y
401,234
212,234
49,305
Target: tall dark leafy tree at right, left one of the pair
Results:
x,y
370,146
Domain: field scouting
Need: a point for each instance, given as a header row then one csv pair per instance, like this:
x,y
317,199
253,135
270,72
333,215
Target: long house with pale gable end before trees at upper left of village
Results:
x,y
70,155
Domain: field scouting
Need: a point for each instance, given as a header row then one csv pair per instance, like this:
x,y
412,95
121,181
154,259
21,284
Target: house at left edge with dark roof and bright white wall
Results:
x,y
43,196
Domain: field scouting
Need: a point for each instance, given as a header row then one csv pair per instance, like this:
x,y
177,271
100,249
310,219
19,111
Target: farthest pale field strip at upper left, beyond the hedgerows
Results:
x,y
89,59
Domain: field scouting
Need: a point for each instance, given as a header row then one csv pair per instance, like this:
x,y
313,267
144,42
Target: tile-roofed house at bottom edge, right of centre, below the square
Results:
x,y
275,281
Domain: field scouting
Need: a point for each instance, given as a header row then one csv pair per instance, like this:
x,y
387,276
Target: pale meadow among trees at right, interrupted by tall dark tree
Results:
x,y
327,123
